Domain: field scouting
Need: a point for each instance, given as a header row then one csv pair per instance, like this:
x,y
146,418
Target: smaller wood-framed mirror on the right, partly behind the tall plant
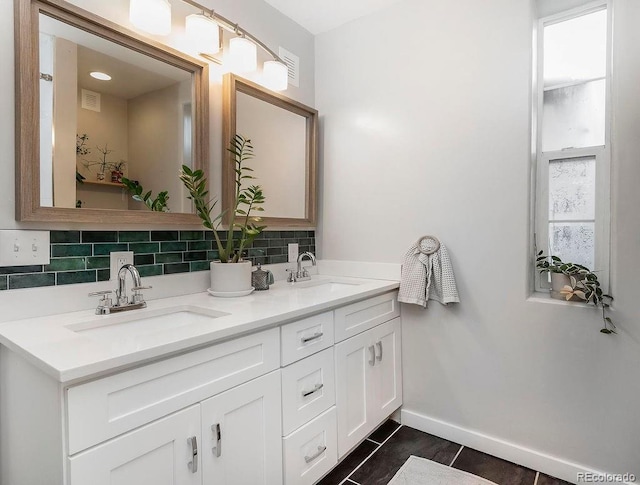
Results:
x,y
284,134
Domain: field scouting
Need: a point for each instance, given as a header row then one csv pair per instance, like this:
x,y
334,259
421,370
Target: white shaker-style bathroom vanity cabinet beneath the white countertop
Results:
x,y
271,407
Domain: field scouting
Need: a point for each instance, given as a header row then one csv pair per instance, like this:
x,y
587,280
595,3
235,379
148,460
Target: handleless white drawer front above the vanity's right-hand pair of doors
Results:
x,y
353,319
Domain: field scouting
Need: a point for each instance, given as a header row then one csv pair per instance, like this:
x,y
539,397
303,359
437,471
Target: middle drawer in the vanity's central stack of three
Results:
x,y
308,389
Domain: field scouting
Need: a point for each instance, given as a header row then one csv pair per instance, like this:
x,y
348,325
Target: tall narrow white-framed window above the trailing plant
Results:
x,y
572,145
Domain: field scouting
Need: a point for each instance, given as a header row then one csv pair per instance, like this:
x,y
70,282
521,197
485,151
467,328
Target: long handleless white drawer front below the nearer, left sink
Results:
x,y
107,407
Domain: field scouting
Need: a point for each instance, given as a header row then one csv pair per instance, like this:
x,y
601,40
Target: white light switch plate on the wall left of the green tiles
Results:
x,y
24,248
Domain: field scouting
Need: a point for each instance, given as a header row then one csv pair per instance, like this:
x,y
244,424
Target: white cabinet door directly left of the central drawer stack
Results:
x,y
242,434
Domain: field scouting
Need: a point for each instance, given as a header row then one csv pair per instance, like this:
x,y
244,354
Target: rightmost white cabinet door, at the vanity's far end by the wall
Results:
x,y
386,374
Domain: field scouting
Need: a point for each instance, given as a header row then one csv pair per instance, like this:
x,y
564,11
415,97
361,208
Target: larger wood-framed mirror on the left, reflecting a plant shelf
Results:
x,y
146,122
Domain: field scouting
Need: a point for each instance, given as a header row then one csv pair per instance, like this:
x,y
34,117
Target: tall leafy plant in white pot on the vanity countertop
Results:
x,y
231,273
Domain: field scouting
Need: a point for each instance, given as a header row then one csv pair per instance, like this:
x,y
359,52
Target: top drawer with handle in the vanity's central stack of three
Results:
x,y
305,337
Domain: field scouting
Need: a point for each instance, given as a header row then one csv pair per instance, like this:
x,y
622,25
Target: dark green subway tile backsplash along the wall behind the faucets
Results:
x,y
83,256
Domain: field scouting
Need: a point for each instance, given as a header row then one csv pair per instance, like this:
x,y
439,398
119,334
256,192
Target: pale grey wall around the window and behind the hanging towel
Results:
x,y
427,131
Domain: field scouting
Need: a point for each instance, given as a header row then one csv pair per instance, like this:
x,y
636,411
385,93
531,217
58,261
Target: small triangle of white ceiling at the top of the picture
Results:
x,y
319,16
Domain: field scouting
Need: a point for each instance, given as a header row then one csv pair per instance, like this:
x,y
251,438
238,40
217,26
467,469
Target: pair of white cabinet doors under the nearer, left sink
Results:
x,y
210,442
